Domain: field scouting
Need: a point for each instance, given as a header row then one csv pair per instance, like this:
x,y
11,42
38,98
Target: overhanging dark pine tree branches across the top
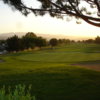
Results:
x,y
60,8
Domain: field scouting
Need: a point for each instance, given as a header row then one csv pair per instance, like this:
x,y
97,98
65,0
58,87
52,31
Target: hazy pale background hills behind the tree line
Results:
x,y
4,36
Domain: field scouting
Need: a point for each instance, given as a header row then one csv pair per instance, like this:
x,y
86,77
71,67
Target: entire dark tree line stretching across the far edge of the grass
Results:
x,y
30,41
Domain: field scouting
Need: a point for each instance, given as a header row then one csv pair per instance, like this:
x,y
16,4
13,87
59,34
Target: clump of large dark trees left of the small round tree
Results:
x,y
30,40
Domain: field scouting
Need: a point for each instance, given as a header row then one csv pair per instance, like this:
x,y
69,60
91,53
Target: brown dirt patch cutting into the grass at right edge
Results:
x,y
90,66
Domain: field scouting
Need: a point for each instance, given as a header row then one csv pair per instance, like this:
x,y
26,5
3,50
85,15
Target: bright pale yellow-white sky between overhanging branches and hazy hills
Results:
x,y
14,21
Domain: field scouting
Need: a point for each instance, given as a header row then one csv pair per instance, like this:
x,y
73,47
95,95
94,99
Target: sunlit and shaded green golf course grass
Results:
x,y
52,73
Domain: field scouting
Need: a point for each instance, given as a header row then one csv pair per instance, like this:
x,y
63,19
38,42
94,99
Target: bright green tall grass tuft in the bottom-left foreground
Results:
x,y
19,93
